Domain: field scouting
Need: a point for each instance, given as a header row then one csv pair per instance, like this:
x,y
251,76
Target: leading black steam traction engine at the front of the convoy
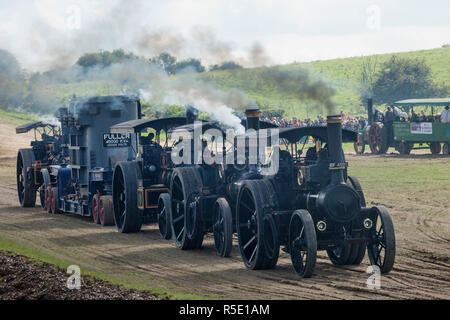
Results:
x,y
311,204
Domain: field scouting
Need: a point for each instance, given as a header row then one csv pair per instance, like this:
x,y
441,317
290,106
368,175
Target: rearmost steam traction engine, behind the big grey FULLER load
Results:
x,y
46,149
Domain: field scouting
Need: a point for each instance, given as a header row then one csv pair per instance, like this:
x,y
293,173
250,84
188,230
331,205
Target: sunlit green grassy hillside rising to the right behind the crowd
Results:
x,y
343,74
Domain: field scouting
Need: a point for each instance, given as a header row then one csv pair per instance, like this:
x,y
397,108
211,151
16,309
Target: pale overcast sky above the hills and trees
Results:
x,y
48,33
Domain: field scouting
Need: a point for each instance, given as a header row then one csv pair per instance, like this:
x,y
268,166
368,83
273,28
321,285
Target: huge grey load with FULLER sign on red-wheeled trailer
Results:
x,y
82,185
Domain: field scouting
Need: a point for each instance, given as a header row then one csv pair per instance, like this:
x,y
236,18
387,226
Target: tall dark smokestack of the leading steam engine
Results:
x,y
336,155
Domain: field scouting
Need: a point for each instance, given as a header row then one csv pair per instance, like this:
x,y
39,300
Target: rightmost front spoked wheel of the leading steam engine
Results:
x,y
381,248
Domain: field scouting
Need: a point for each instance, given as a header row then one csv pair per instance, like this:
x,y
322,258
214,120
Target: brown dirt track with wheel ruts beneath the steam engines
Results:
x,y
422,268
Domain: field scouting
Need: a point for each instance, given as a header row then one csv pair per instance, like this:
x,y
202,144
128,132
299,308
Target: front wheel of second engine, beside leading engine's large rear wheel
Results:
x,y
223,227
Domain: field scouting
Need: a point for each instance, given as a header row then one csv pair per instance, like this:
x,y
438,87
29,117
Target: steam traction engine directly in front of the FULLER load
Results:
x,y
140,183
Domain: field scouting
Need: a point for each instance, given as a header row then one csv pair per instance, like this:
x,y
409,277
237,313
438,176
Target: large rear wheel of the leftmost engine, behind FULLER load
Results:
x,y
25,183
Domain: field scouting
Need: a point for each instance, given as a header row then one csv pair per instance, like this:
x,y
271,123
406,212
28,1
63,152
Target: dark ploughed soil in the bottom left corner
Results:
x,y
22,278
